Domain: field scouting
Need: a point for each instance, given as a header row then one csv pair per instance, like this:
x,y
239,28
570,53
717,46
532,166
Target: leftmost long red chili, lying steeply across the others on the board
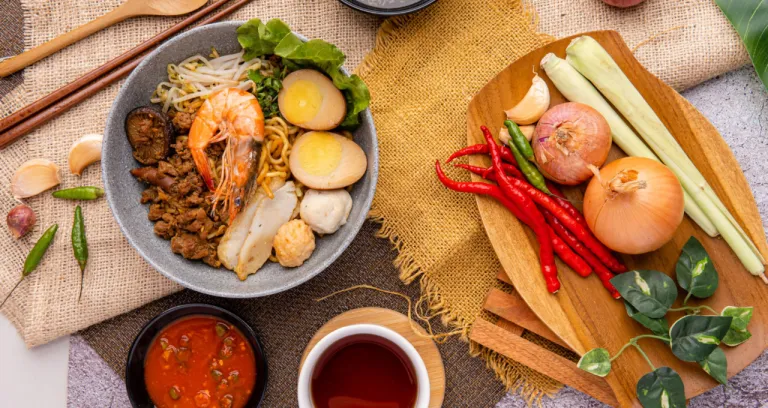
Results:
x,y
538,224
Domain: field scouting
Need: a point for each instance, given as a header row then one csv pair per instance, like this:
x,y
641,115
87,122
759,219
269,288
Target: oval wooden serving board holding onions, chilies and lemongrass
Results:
x,y
581,313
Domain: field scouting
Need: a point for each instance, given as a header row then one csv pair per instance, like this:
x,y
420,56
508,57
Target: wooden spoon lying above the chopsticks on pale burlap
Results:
x,y
130,8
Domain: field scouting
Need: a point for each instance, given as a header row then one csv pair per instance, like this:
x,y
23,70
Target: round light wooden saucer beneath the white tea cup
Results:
x,y
399,323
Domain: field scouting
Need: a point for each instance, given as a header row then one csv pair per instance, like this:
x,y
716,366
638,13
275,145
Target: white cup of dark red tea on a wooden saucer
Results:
x,y
363,365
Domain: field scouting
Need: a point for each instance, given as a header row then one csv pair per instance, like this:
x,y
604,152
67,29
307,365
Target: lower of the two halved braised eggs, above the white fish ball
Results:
x,y
326,161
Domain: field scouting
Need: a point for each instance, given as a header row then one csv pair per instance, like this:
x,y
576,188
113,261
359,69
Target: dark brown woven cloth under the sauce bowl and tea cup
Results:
x,y
287,321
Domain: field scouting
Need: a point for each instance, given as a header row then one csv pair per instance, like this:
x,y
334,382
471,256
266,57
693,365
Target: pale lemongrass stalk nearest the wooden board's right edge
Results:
x,y
591,60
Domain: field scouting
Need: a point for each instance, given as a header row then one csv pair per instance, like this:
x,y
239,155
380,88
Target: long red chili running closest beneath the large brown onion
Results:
x,y
574,226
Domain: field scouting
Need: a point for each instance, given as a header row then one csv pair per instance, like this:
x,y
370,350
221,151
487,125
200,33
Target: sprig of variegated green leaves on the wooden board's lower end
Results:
x,y
648,297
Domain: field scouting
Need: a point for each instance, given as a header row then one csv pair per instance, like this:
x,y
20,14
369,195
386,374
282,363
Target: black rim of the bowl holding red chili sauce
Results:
x,y
134,368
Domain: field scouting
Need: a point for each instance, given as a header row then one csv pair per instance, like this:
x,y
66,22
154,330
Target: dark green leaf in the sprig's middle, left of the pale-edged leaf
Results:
x,y
694,337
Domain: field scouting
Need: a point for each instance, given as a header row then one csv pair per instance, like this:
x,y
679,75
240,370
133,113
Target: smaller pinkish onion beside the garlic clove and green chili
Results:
x,y
570,137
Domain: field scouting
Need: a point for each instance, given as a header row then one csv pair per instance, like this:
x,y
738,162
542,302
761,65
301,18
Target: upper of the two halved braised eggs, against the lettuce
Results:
x,y
310,100
